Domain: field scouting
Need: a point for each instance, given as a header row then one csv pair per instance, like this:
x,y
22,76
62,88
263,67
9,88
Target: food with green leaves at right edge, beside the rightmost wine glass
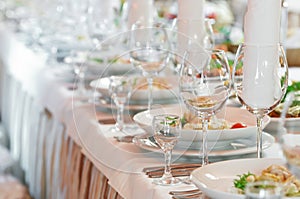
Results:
x,y
294,109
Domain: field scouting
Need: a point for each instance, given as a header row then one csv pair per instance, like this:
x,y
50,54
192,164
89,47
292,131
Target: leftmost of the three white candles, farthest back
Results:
x,y
140,10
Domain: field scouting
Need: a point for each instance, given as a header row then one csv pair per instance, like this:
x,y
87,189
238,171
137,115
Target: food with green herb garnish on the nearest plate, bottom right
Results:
x,y
274,173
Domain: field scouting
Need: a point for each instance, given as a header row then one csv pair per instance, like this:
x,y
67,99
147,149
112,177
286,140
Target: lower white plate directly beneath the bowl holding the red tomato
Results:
x,y
248,146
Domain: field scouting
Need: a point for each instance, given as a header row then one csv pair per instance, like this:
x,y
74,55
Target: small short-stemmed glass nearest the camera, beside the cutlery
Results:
x,y
166,131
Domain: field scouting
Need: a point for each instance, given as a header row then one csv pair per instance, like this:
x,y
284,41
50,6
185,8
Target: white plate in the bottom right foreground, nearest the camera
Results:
x,y
216,179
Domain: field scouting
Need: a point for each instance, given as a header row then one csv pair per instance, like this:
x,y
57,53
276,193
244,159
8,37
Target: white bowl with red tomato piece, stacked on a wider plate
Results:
x,y
231,114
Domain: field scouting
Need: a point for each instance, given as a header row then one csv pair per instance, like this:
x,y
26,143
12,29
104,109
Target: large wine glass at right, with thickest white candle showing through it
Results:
x,y
260,78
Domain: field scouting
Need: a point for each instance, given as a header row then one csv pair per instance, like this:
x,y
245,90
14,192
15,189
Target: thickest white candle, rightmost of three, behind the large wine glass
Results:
x,y
262,34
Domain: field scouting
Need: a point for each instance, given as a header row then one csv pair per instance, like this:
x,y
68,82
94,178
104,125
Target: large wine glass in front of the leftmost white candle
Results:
x,y
149,51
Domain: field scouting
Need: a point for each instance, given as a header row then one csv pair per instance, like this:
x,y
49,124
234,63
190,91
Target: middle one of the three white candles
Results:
x,y
190,24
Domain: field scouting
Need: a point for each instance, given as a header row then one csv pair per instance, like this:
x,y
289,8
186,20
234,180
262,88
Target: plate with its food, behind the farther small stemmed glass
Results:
x,y
164,89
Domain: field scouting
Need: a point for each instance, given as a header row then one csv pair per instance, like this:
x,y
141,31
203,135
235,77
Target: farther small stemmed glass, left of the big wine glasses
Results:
x,y
120,89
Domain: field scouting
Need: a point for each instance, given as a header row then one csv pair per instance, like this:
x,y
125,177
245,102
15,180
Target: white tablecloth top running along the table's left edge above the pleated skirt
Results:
x,y
121,163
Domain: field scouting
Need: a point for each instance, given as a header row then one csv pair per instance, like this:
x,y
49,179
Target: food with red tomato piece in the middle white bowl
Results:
x,y
192,122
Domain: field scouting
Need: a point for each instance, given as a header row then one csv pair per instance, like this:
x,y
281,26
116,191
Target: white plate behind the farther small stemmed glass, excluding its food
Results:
x,y
140,96
